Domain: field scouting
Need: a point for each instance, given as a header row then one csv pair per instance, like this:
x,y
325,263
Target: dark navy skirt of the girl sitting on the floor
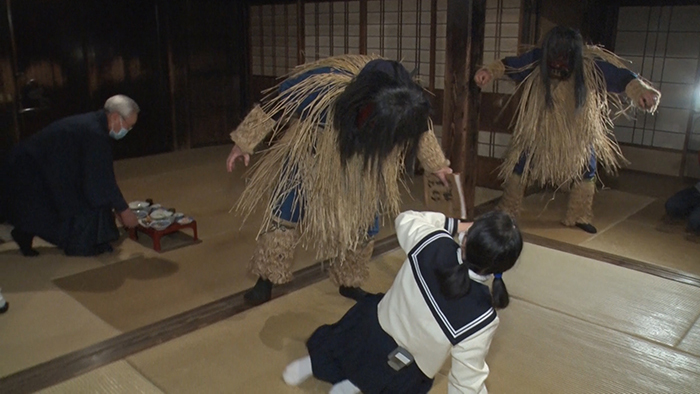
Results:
x,y
356,348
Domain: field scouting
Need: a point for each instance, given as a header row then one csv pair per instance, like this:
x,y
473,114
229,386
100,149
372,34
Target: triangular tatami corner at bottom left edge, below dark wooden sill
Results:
x,y
115,378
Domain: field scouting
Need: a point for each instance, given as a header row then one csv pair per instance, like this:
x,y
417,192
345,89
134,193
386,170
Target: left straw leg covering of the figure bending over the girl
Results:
x,y
274,254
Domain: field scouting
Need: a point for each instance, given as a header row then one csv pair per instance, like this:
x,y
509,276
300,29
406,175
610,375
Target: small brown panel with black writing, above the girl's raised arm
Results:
x,y
440,198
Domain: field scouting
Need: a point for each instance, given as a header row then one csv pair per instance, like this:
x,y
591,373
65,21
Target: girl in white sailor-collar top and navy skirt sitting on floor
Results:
x,y
439,306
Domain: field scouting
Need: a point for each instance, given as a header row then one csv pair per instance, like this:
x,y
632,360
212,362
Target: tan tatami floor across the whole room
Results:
x,y
174,322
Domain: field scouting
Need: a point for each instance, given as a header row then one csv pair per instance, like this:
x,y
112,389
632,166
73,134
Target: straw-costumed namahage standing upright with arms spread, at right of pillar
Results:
x,y
563,121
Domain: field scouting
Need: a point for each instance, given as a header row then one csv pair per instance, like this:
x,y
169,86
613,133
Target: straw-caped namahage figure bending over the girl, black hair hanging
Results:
x,y
340,129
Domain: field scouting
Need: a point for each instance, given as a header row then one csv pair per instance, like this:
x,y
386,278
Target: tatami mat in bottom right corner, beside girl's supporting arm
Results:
x,y
537,350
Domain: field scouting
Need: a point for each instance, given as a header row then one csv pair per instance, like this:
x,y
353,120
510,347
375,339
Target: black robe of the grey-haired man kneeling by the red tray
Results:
x,y
59,185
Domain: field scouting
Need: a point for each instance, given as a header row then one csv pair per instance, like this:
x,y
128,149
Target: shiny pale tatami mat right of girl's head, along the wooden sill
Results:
x,y
615,297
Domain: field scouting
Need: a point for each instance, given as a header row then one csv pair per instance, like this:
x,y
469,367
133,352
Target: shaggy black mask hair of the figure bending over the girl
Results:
x,y
382,108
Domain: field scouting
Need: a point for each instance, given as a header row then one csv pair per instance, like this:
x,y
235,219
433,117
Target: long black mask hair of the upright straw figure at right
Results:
x,y
563,44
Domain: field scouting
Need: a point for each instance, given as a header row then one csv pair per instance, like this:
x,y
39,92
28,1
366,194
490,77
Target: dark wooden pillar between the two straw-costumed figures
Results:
x,y
464,54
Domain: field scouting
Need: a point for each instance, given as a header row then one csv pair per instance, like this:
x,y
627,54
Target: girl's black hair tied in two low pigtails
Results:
x,y
492,246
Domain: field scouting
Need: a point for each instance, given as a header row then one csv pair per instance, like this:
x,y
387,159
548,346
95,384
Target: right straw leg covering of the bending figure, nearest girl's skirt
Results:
x,y
352,269
